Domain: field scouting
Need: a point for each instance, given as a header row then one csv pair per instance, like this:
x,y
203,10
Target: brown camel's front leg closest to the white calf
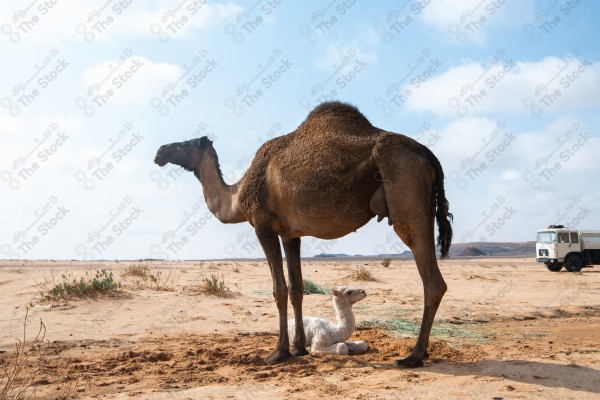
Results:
x,y
291,248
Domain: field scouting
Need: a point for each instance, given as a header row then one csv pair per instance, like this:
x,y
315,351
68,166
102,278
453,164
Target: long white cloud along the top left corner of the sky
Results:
x,y
79,21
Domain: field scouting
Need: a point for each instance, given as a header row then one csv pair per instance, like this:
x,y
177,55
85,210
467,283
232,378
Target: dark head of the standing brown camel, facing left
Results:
x,y
186,154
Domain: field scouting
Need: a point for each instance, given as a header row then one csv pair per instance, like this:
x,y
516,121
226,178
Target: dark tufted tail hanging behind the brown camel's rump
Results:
x,y
442,214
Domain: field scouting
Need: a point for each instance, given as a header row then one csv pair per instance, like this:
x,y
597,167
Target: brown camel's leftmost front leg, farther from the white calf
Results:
x,y
270,244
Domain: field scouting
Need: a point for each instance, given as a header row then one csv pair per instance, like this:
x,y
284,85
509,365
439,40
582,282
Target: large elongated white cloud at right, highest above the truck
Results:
x,y
551,85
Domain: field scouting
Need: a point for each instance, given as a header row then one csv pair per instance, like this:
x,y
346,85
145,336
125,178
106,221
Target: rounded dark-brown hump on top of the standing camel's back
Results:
x,y
337,116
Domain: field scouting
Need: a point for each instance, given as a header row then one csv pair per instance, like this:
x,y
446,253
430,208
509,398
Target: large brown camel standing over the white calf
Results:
x,y
326,179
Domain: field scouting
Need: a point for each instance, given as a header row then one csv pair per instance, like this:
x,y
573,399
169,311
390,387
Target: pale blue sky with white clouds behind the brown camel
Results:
x,y
506,94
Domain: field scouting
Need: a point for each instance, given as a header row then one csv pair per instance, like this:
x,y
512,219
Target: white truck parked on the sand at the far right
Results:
x,y
558,246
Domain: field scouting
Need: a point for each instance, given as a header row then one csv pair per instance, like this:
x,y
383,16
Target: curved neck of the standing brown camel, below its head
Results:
x,y
221,198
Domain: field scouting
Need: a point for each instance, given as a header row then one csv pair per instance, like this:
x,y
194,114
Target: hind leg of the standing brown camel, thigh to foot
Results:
x,y
408,182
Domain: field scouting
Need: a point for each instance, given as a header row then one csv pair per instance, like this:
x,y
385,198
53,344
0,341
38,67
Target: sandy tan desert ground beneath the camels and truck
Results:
x,y
506,329
